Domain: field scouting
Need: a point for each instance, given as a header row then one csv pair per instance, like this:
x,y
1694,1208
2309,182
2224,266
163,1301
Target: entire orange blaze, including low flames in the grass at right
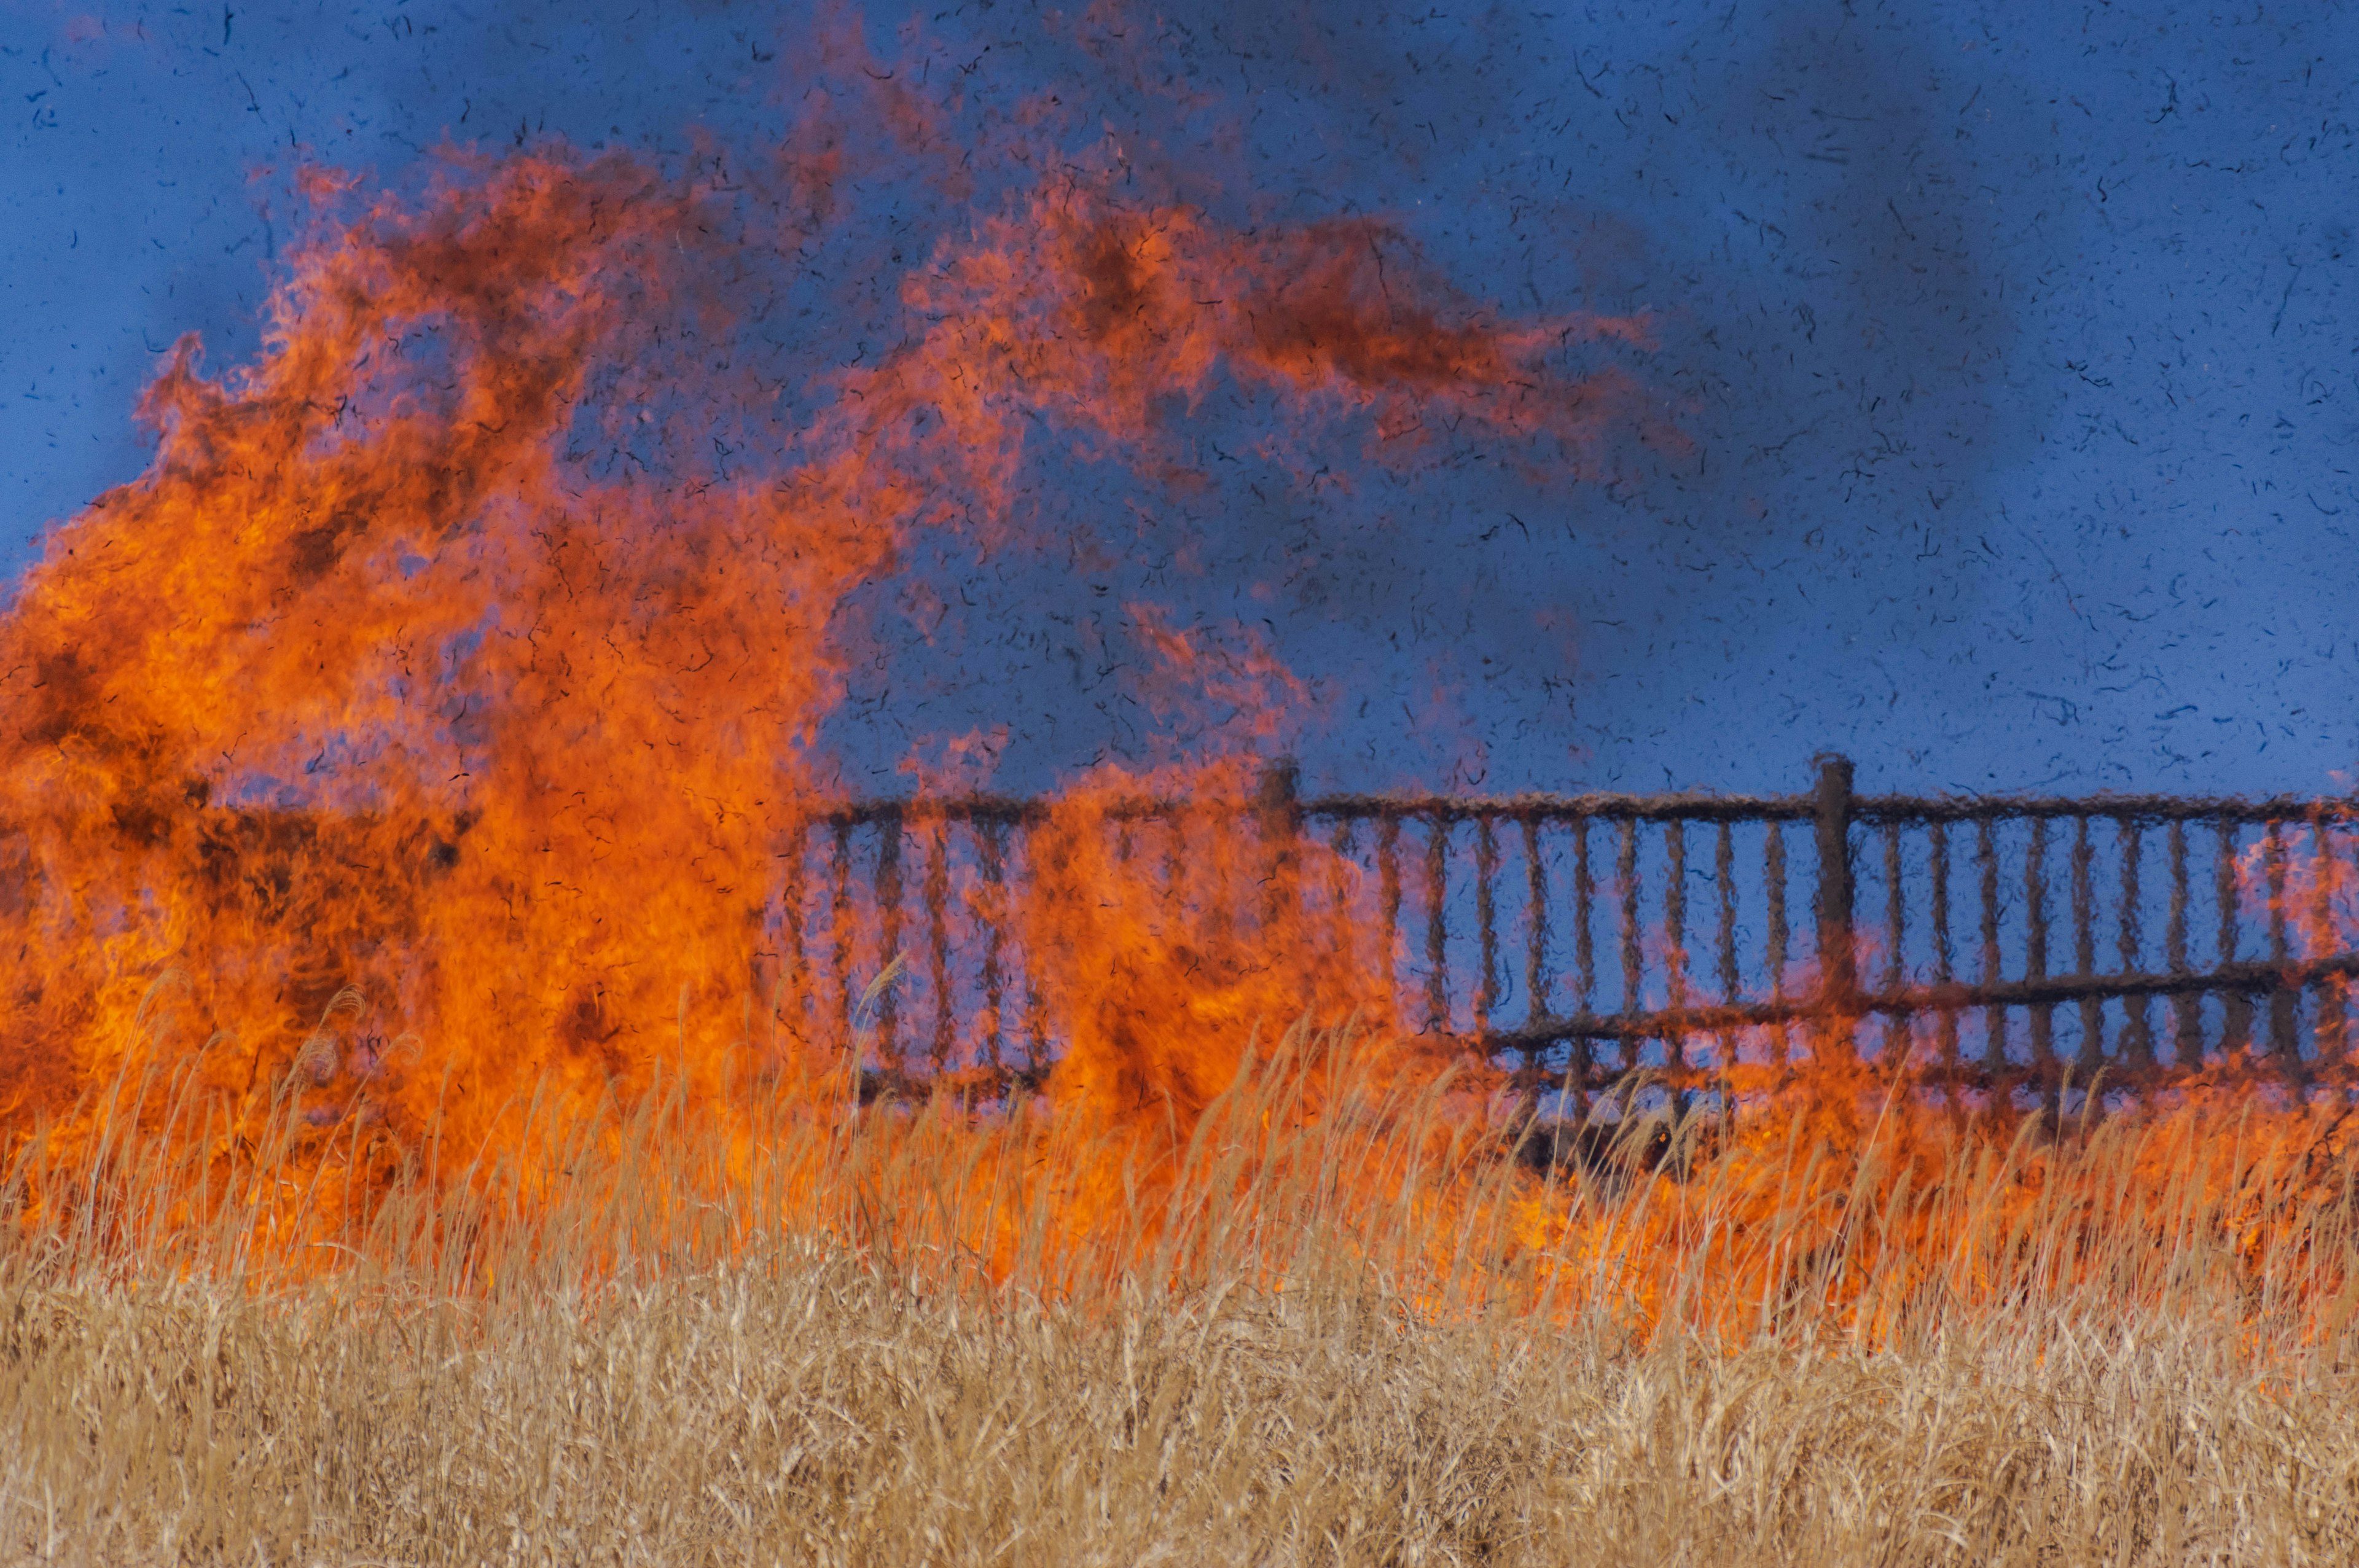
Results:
x,y
397,779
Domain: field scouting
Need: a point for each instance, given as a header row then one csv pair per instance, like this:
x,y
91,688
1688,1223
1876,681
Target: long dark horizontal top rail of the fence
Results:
x,y
1683,808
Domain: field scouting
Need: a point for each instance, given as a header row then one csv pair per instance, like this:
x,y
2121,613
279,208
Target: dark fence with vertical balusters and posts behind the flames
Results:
x,y
1999,942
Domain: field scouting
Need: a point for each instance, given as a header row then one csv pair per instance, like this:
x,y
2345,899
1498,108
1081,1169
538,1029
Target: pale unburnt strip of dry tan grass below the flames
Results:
x,y
817,1414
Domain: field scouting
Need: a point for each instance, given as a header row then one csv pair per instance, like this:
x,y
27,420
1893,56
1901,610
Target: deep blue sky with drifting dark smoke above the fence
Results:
x,y
2013,345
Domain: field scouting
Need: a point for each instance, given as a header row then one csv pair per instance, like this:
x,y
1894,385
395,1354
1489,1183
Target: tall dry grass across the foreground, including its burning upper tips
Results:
x,y
1329,1324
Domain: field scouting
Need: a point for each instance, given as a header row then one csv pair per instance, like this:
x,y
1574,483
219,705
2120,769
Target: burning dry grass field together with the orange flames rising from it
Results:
x,y
445,716
